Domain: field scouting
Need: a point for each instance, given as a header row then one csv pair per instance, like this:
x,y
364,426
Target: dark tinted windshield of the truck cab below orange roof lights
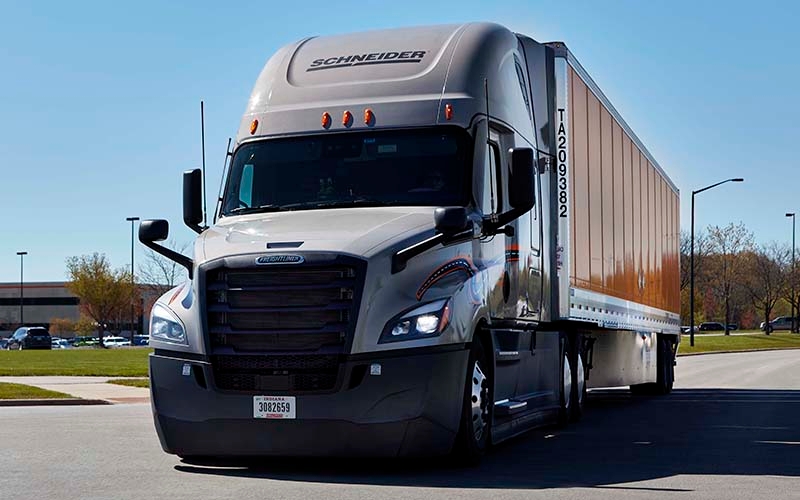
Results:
x,y
376,168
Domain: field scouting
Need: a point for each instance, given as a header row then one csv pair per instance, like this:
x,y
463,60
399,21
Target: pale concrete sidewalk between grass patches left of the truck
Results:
x,y
89,388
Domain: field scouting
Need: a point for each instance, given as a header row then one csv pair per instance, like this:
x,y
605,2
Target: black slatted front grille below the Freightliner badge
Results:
x,y
281,328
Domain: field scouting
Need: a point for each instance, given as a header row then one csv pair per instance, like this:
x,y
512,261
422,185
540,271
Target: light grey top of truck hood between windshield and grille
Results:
x,y
357,231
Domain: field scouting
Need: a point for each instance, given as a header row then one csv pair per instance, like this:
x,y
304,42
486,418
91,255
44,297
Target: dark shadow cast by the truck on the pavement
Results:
x,y
621,439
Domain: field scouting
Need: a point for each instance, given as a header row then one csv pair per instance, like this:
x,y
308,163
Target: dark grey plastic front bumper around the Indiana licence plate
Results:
x,y
412,408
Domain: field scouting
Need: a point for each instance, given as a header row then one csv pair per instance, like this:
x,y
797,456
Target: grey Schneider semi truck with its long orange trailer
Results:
x,y
428,240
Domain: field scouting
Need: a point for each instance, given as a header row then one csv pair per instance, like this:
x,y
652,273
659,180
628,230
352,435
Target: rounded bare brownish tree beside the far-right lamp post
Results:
x,y
766,277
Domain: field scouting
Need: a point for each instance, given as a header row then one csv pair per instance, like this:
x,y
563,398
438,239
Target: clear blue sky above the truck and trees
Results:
x,y
99,102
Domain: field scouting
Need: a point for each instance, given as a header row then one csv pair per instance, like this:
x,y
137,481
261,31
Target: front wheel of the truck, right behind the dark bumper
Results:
x,y
474,434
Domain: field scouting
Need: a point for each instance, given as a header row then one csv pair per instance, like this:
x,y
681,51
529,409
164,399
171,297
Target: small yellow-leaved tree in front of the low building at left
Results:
x,y
104,293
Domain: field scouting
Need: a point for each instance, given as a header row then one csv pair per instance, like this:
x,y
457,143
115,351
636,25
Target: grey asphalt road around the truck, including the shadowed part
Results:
x,y
741,440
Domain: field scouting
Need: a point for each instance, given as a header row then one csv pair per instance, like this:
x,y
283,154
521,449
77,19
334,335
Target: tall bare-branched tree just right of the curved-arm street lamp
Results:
x,y
727,245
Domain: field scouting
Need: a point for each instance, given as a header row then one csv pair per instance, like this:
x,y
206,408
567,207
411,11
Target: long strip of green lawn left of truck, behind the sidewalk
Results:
x,y
126,362
